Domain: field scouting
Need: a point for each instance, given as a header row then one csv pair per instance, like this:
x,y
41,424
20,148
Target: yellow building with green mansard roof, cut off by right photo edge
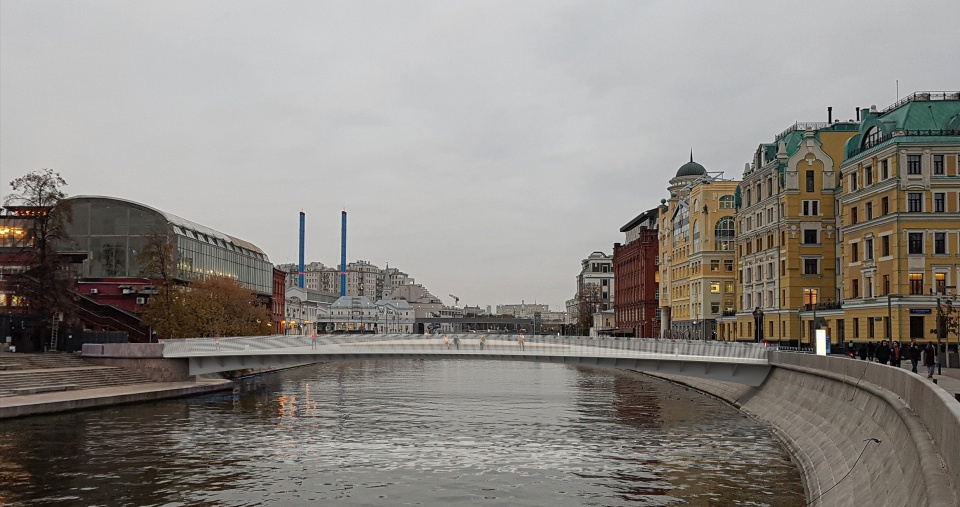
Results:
x,y
901,218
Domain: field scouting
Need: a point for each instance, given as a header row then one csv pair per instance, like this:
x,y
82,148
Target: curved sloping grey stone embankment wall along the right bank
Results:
x,y
827,409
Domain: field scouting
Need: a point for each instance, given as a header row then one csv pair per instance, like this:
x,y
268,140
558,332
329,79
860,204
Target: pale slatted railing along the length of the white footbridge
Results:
x,y
469,343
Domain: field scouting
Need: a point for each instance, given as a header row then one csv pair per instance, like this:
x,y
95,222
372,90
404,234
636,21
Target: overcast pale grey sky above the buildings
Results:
x,y
485,148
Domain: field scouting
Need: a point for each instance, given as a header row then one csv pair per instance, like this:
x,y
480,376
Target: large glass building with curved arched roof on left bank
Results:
x,y
113,231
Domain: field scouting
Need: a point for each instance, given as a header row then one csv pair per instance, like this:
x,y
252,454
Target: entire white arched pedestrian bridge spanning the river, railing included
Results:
x,y
743,363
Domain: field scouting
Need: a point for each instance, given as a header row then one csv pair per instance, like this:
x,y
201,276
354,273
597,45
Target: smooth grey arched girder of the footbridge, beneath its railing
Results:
x,y
751,374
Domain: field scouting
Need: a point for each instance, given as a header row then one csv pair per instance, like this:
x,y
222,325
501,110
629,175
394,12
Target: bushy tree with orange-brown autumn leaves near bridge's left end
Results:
x,y
211,307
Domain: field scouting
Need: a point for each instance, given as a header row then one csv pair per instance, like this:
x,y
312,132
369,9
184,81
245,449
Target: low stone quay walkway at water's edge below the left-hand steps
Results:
x,y
44,403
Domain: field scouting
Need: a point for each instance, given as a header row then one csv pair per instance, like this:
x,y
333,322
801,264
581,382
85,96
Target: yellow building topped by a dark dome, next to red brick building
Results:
x,y
696,253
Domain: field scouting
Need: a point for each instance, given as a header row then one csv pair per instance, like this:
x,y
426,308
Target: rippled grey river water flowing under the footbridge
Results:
x,y
406,432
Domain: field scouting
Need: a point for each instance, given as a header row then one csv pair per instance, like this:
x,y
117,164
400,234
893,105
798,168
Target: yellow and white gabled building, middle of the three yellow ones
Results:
x,y
787,235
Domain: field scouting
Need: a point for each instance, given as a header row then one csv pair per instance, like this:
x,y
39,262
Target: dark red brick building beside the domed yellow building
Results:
x,y
635,274
